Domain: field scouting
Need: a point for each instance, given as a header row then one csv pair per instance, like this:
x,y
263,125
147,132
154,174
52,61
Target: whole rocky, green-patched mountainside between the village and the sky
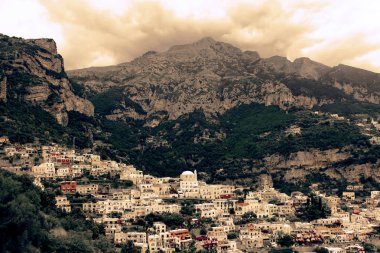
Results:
x,y
208,106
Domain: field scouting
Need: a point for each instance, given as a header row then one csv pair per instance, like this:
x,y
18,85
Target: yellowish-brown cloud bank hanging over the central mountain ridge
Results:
x,y
97,36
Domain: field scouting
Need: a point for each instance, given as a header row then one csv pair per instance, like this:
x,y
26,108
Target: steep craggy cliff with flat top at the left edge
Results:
x,y
31,71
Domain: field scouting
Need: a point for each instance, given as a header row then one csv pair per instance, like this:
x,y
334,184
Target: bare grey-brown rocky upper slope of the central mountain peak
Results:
x,y
215,76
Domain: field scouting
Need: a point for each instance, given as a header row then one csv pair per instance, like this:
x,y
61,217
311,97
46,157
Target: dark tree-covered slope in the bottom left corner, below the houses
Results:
x,y
30,221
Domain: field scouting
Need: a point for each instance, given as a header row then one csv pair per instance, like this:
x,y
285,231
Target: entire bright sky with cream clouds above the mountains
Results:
x,y
106,32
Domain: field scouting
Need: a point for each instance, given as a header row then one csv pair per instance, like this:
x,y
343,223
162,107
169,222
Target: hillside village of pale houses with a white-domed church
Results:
x,y
166,214
